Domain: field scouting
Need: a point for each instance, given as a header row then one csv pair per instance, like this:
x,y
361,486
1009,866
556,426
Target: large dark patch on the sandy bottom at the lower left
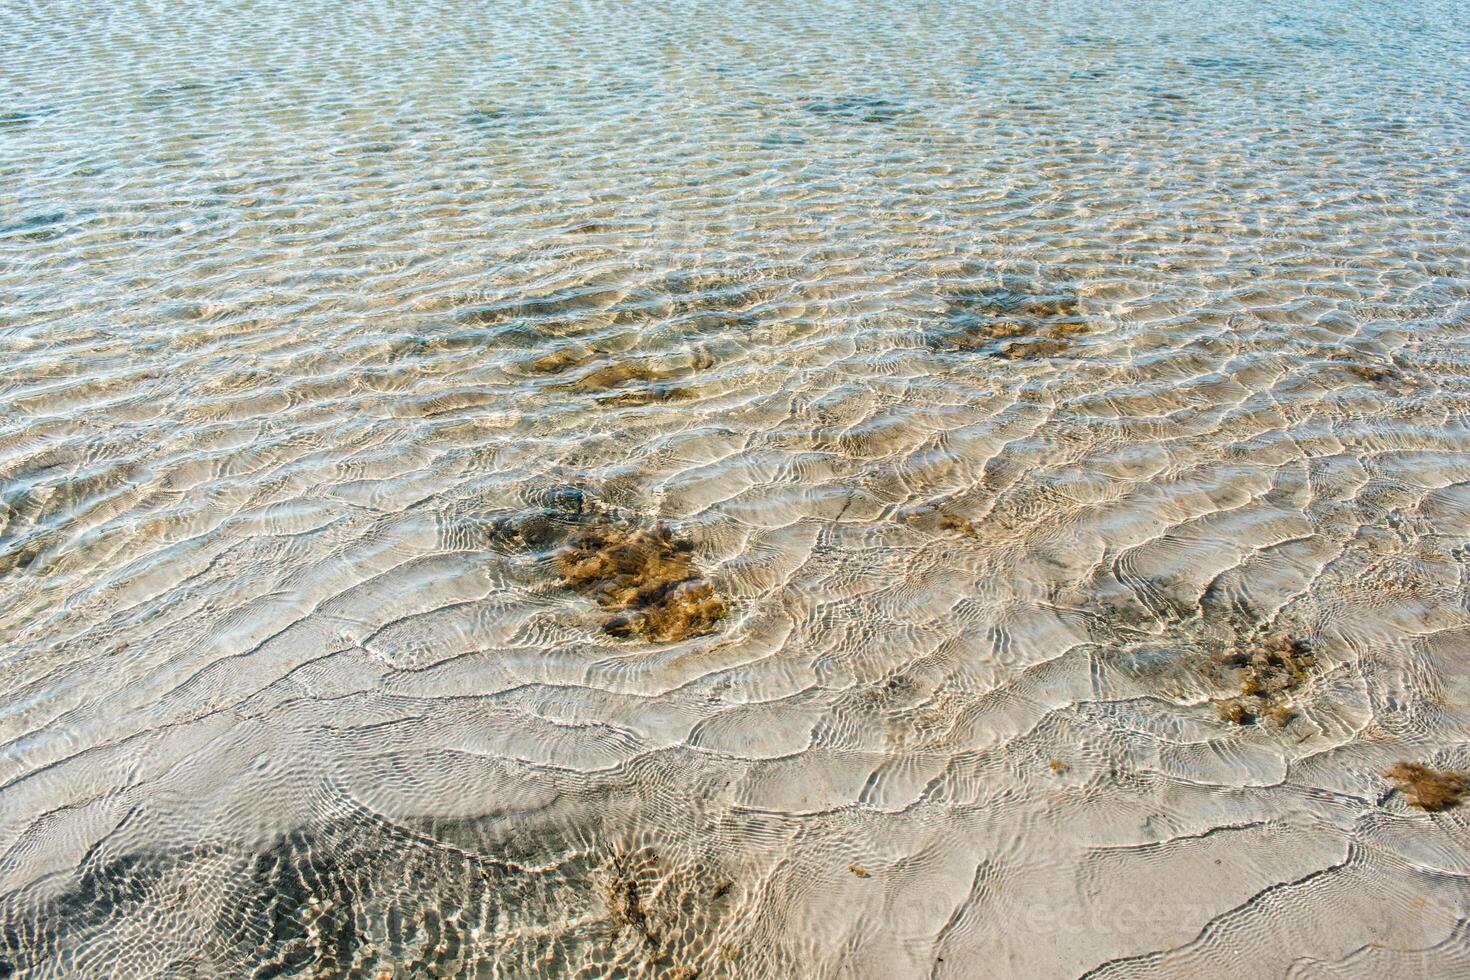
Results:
x,y
374,900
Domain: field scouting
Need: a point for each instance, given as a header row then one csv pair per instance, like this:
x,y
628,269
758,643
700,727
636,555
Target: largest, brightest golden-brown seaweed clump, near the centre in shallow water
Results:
x,y
646,578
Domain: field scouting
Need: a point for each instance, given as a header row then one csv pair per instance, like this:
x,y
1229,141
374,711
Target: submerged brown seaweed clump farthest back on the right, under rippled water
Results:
x,y
1012,324
